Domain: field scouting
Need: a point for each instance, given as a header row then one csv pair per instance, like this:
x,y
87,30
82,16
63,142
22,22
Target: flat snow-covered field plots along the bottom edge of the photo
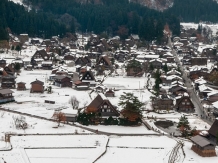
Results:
x,y
86,149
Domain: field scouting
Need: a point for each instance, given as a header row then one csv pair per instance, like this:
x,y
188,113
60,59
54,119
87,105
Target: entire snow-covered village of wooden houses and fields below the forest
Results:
x,y
89,99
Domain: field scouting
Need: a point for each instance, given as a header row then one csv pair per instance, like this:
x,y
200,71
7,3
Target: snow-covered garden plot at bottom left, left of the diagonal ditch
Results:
x,y
43,149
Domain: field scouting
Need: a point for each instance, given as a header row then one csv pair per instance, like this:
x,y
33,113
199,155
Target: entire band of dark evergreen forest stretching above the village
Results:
x,y
111,17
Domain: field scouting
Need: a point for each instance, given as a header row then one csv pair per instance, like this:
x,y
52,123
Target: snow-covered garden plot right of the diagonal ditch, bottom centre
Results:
x,y
138,149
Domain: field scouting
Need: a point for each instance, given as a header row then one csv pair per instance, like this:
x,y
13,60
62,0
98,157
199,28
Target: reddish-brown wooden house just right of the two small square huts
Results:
x,y
62,81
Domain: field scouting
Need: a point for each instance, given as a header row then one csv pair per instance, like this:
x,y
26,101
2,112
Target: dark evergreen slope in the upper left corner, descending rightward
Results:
x,y
15,18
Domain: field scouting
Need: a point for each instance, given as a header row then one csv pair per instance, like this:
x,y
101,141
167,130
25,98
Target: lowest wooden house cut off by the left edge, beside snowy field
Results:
x,y
6,95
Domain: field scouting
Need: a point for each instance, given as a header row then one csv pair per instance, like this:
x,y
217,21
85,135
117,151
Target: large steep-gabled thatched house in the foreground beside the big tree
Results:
x,y
103,106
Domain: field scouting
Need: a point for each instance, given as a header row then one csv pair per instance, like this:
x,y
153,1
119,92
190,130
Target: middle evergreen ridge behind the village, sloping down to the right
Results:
x,y
110,16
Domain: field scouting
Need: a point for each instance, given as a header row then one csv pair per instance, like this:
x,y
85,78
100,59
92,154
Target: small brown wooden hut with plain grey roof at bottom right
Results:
x,y
203,146
